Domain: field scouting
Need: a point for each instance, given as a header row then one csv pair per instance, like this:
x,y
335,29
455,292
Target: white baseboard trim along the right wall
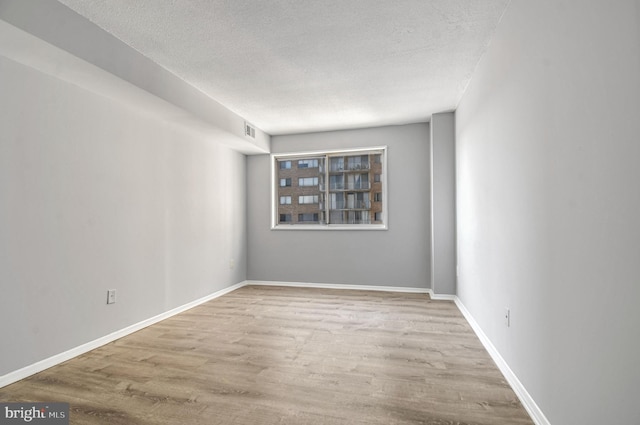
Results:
x,y
525,398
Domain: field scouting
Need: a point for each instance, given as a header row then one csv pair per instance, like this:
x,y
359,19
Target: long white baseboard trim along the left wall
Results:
x,y
34,368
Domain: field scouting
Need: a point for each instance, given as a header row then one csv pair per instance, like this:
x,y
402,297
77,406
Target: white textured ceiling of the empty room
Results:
x,y
292,66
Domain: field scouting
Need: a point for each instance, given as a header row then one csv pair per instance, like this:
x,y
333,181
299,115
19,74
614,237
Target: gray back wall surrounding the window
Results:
x,y
399,256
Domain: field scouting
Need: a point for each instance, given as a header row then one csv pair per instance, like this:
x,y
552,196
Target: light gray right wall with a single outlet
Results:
x,y
548,169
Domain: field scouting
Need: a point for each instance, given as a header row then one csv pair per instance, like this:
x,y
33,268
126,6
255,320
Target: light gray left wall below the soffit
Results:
x,y
95,195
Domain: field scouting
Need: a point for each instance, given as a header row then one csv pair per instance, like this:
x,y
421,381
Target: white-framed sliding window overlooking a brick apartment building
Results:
x,y
342,189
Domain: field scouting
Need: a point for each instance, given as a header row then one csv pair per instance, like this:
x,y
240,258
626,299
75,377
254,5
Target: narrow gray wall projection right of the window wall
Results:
x,y
443,203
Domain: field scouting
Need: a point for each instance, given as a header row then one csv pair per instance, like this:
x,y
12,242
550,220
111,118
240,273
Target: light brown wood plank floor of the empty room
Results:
x,y
276,355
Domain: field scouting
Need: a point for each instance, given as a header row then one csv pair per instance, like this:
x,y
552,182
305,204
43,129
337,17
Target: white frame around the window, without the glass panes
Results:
x,y
329,153
